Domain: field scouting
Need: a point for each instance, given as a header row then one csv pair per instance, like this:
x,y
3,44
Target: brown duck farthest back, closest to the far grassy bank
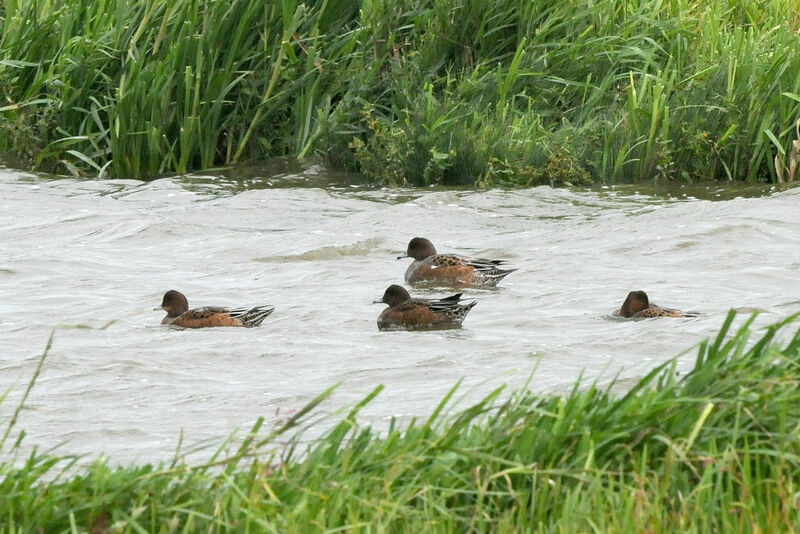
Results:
x,y
428,266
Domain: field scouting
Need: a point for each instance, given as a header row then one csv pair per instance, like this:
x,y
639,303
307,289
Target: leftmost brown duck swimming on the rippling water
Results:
x,y
179,314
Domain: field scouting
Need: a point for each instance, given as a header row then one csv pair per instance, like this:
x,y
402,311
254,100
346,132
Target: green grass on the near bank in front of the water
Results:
x,y
716,450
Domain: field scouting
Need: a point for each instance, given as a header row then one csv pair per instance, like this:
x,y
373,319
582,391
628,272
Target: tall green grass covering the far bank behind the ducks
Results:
x,y
487,92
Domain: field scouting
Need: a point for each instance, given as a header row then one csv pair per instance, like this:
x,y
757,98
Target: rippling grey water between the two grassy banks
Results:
x,y
321,248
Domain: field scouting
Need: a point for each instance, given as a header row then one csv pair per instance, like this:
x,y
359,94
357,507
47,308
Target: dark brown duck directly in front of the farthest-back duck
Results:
x,y
406,313
